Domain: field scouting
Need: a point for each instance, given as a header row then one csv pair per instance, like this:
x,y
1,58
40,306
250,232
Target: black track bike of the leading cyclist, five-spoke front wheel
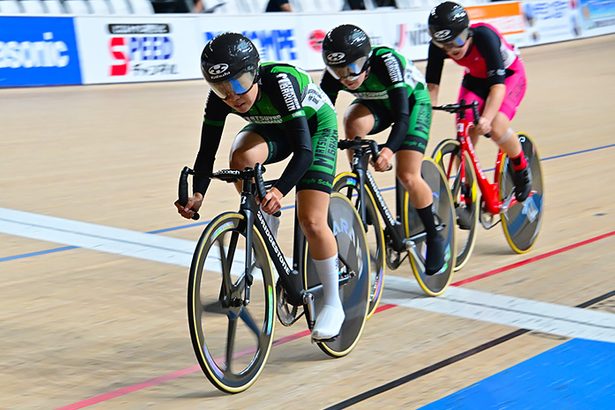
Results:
x,y
232,296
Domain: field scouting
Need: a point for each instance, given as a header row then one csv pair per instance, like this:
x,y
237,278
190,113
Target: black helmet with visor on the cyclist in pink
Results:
x,y
448,23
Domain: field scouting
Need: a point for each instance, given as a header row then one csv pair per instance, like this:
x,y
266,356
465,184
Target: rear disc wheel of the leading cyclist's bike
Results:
x,y
354,294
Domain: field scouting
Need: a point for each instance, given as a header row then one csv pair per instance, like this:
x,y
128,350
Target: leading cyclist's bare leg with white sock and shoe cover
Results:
x,y
312,210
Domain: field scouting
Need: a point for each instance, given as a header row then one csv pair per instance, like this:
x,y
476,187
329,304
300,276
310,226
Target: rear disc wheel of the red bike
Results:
x,y
521,222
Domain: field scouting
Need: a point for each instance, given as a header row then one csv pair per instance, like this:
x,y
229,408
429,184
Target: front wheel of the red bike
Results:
x,y
465,196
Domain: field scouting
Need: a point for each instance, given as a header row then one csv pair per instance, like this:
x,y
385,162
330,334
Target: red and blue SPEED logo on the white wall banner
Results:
x,y
141,50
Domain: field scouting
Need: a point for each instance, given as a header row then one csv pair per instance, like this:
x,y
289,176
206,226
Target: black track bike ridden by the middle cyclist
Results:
x,y
395,238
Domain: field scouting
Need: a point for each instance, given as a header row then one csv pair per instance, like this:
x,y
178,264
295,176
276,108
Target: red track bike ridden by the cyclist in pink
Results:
x,y
521,222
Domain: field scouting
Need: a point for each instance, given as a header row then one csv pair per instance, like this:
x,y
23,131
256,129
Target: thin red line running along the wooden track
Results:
x,y
179,373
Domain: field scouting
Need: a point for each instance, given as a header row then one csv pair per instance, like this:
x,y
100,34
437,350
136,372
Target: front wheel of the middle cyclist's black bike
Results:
x,y
346,183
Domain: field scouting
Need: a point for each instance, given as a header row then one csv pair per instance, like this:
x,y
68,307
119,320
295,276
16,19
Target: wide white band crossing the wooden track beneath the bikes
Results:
x,y
466,303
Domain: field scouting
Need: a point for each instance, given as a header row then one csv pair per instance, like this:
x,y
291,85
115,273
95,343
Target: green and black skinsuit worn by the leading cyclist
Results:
x,y
293,115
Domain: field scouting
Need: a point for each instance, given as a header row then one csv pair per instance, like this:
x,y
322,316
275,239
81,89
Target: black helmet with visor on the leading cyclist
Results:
x,y
229,63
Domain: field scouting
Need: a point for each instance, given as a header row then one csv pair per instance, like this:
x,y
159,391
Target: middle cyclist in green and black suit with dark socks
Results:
x,y
389,91
